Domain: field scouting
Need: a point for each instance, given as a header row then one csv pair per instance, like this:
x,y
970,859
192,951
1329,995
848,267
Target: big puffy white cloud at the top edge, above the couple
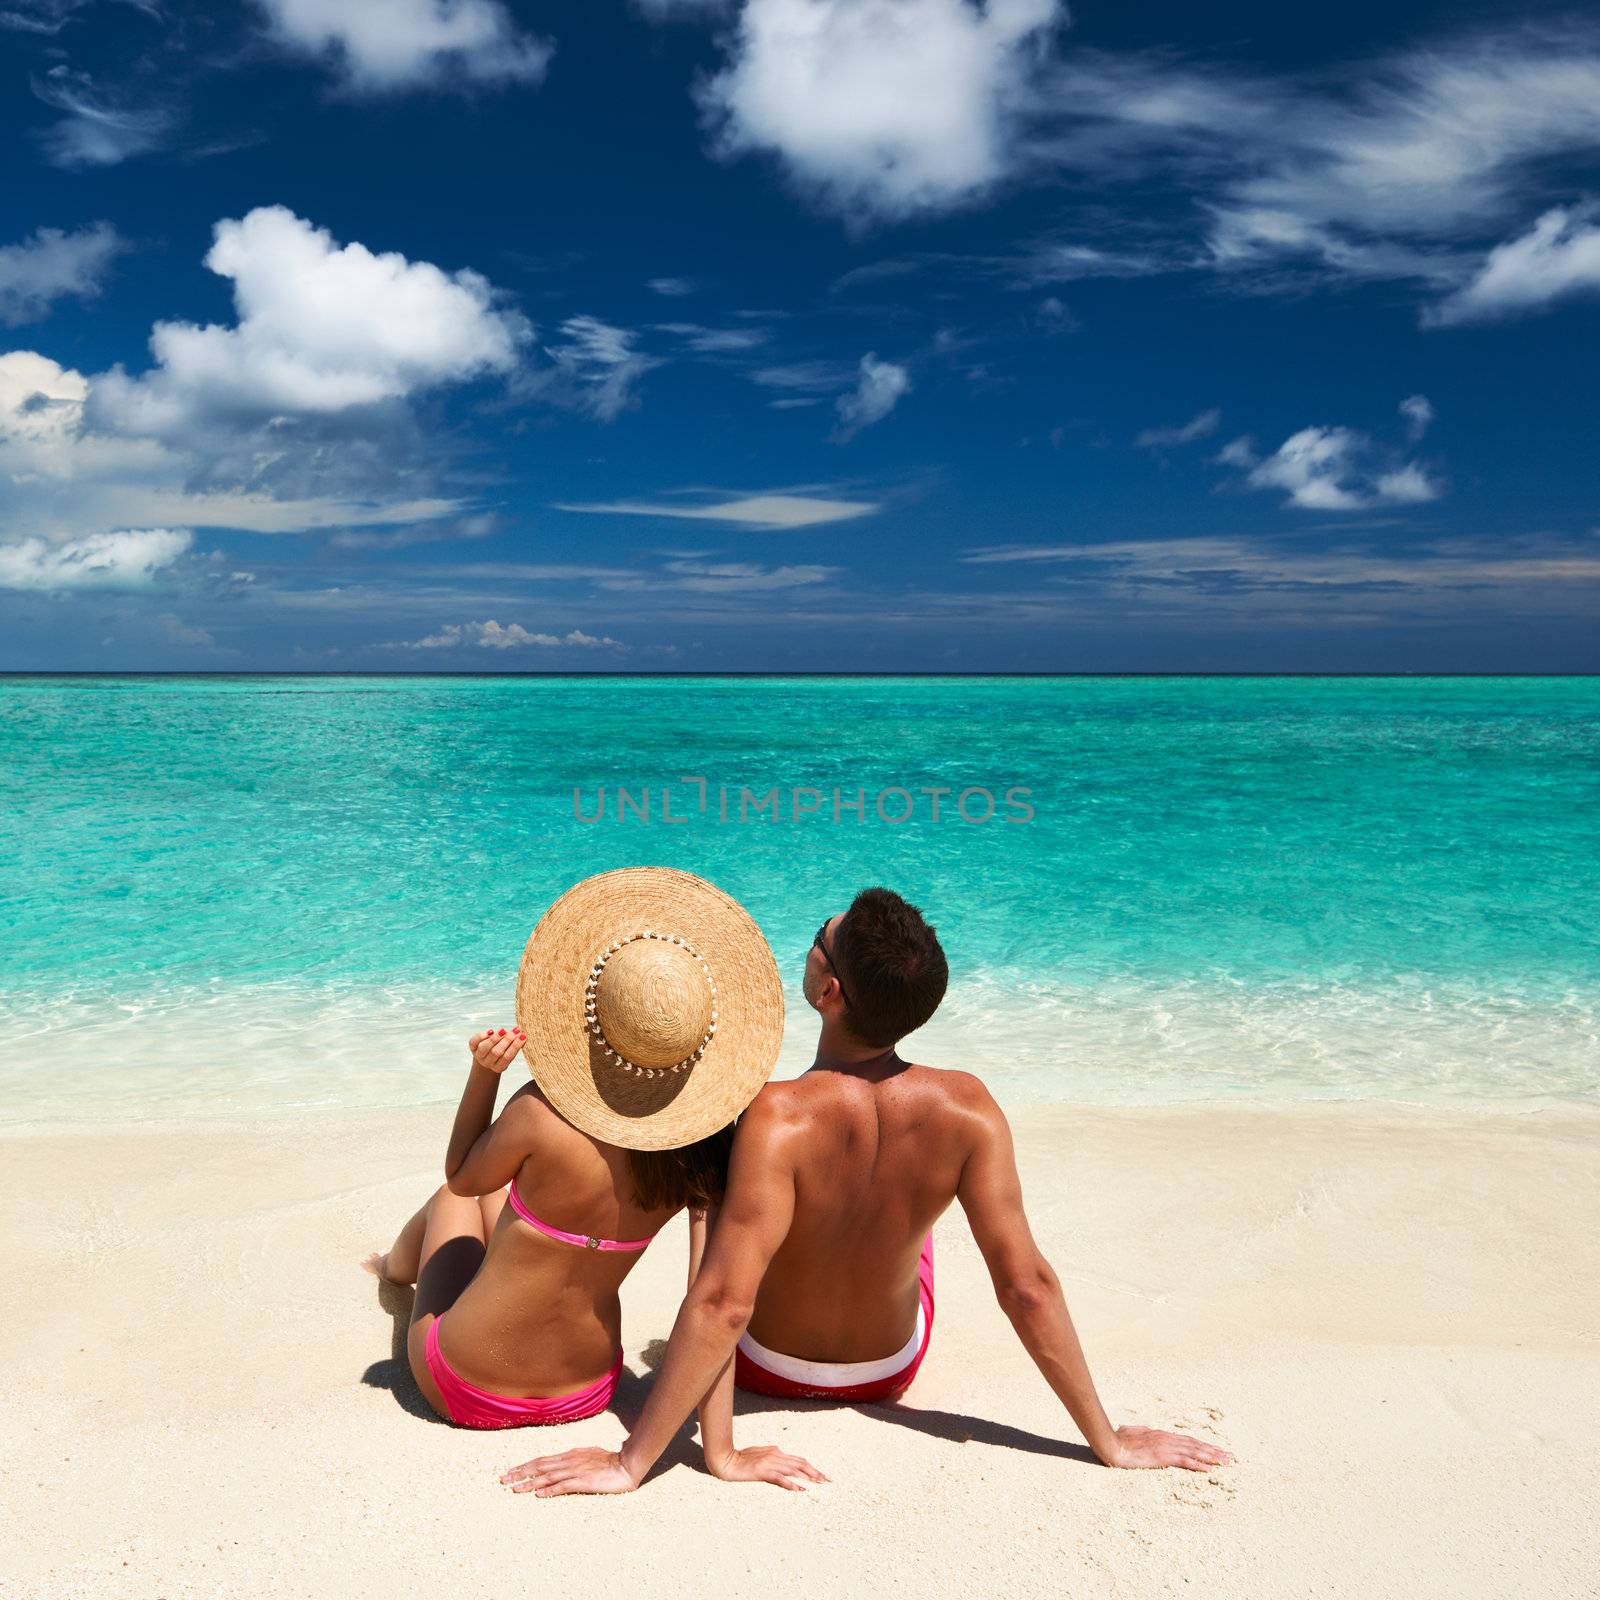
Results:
x,y
881,108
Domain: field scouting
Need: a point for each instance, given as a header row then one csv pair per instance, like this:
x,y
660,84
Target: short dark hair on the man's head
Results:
x,y
892,967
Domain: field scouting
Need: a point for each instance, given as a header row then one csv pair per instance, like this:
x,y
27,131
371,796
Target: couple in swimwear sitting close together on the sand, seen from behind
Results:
x,y
650,1012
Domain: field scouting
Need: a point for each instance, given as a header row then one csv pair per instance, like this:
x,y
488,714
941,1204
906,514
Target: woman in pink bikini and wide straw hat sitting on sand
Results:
x,y
650,1014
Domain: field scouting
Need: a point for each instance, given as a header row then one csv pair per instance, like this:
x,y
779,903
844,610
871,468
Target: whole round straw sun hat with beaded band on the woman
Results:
x,y
652,1007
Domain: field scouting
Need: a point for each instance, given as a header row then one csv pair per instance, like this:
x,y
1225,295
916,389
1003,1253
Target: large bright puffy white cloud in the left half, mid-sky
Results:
x,y
321,330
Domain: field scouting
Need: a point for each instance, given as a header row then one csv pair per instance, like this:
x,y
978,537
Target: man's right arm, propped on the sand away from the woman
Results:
x,y
1030,1294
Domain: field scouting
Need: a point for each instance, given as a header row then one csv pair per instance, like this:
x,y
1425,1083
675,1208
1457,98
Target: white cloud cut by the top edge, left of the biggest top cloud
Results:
x,y
409,44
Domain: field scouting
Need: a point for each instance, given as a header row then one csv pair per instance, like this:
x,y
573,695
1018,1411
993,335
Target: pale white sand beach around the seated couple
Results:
x,y
1391,1318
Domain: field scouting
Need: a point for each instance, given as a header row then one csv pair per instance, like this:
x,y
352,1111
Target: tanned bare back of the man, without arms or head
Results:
x,y
876,1161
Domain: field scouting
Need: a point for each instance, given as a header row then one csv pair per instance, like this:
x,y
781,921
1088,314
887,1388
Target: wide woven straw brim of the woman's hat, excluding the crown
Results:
x,y
574,1071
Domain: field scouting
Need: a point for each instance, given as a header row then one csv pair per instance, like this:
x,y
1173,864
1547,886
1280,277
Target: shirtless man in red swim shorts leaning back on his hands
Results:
x,y
818,1279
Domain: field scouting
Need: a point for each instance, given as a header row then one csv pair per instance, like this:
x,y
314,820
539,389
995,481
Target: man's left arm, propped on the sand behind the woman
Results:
x,y
753,1223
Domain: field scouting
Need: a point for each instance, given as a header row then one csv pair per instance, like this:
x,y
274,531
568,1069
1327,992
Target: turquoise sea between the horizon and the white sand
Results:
x,y
222,895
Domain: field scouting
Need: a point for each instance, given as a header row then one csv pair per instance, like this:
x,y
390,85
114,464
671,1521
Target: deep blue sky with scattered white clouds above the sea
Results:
x,y
866,335
